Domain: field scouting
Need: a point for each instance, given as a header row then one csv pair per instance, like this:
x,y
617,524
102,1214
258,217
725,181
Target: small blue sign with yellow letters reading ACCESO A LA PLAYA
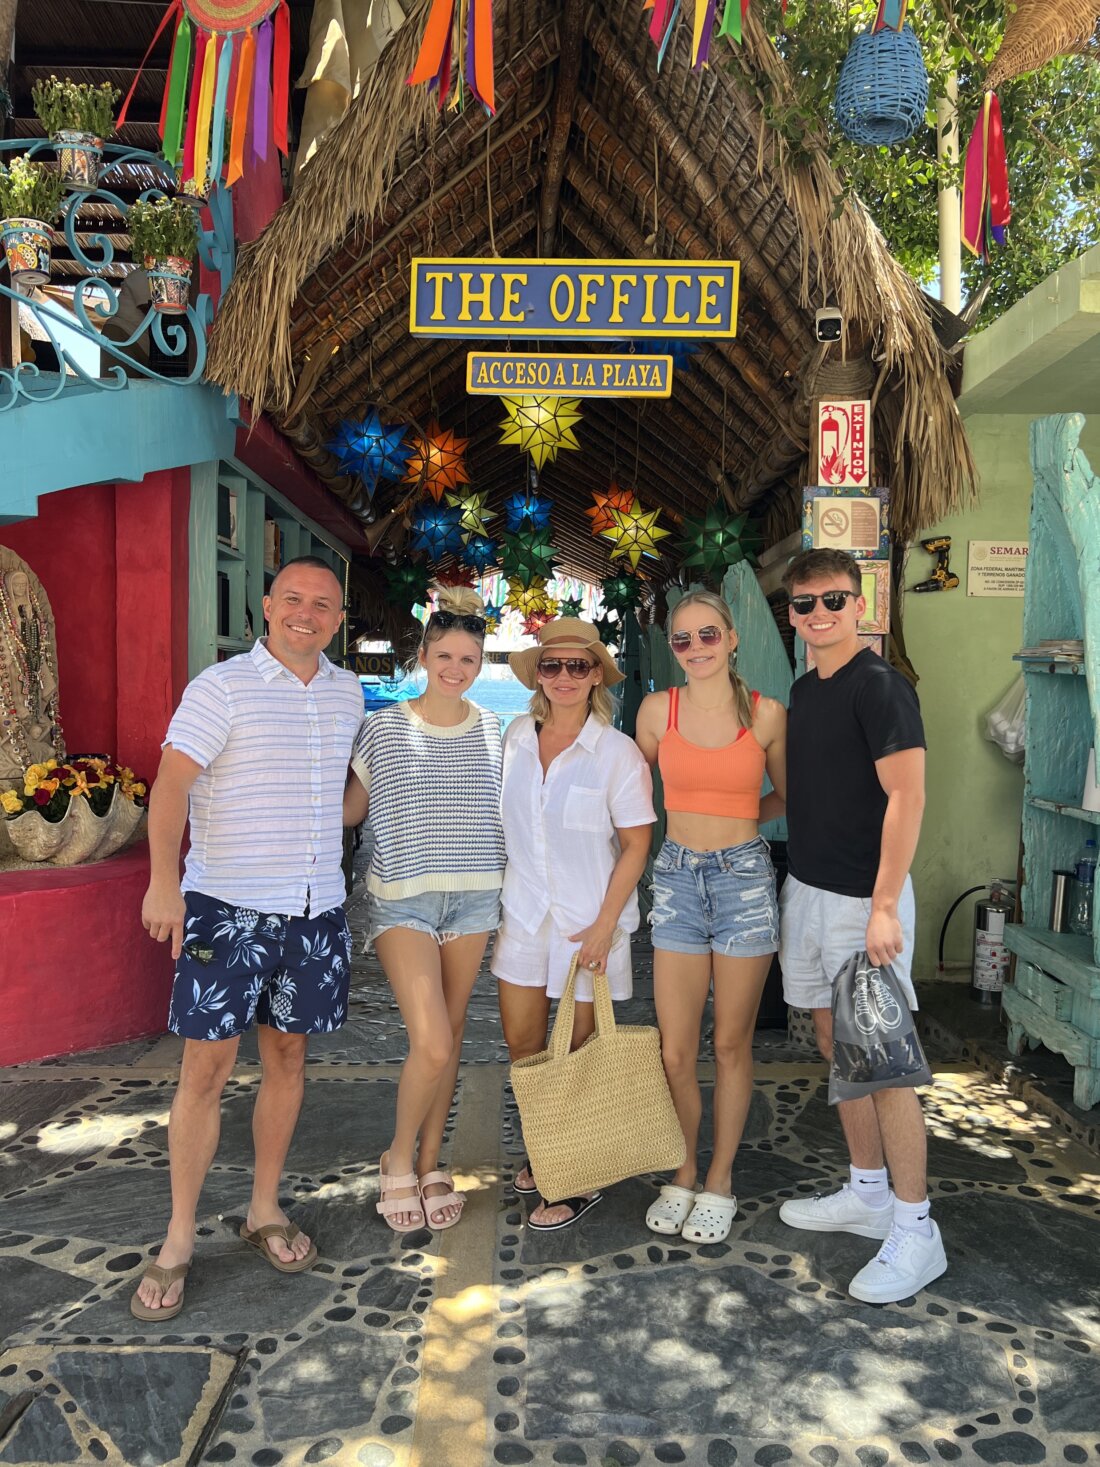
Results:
x,y
507,375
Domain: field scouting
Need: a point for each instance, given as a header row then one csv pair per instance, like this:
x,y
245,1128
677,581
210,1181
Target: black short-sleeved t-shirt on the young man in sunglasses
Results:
x,y
838,728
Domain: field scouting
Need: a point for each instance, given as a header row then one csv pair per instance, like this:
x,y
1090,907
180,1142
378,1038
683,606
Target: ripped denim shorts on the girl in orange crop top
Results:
x,y
715,901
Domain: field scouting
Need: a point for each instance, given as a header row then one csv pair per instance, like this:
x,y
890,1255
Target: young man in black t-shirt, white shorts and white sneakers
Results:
x,y
854,805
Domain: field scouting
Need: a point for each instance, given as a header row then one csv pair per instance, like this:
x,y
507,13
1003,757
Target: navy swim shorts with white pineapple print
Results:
x,y
240,966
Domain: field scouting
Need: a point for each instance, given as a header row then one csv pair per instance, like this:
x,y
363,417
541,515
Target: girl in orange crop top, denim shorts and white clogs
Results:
x,y
715,915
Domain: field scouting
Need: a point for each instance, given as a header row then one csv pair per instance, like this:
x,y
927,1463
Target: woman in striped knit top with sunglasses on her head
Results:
x,y
430,772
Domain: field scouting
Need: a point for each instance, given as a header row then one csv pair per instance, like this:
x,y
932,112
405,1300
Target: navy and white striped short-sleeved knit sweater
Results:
x,y
435,802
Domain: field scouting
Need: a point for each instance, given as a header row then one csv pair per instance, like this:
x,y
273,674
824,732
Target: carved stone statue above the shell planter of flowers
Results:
x,y
30,722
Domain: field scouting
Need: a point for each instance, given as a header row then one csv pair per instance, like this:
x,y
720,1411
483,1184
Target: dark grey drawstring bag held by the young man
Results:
x,y
875,1041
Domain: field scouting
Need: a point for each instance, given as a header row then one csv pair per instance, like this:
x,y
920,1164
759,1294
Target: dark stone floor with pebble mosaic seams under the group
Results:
x,y
491,1345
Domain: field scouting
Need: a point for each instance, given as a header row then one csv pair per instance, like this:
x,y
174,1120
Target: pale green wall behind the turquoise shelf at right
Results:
x,y
963,651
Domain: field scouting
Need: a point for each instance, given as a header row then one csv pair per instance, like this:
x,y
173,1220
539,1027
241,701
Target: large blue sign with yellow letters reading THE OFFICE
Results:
x,y
584,300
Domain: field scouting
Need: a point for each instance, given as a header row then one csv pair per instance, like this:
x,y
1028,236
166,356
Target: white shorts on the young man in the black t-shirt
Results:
x,y
821,931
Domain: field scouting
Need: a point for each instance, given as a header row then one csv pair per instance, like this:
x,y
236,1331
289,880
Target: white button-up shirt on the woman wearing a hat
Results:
x,y
560,833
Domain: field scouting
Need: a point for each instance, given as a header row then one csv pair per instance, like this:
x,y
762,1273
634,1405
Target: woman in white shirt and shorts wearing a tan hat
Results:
x,y
577,806
